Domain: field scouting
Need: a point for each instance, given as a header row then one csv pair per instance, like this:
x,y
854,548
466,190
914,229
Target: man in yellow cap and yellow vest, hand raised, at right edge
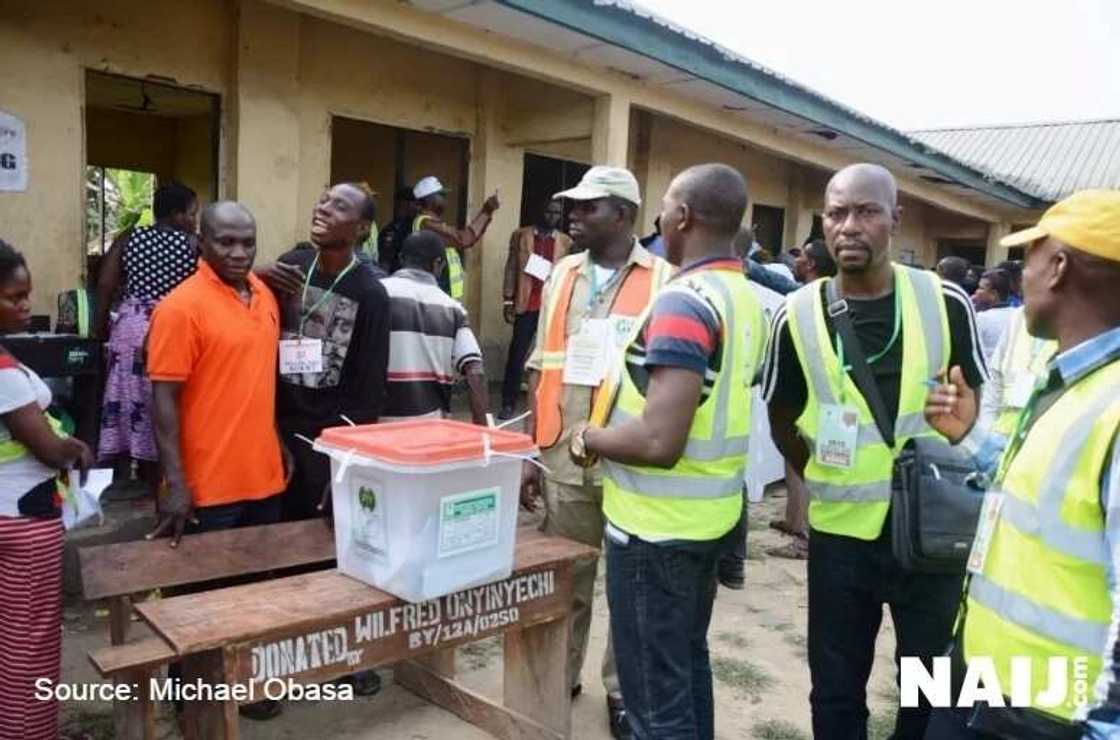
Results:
x,y
1040,624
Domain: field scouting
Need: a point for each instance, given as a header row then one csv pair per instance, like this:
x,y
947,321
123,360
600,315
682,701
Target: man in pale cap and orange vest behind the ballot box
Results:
x,y
589,307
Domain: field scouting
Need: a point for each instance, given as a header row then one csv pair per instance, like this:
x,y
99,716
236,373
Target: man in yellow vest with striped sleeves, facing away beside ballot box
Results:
x,y
675,451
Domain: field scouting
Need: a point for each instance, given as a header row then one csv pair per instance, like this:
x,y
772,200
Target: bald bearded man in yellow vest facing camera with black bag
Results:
x,y
910,326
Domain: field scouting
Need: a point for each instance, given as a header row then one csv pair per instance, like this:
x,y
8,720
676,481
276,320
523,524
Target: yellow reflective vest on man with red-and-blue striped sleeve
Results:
x,y
702,497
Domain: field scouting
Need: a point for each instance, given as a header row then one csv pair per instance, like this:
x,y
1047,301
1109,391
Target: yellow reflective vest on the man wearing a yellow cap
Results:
x,y
1043,588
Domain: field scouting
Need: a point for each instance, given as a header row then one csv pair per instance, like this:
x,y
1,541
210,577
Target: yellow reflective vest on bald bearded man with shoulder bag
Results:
x,y
854,502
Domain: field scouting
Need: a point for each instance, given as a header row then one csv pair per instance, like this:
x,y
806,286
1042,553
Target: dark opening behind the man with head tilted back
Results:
x,y
389,158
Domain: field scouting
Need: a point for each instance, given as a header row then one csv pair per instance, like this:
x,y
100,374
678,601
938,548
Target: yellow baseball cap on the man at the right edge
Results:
x,y
1088,221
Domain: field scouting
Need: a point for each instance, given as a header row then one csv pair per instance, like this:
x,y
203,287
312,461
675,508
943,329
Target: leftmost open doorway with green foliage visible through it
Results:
x,y
139,134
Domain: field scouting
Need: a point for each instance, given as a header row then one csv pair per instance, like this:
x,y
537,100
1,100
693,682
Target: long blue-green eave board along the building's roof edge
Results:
x,y
620,27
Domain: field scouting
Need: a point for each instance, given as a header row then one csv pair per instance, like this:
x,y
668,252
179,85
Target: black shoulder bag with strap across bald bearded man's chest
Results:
x,y
934,508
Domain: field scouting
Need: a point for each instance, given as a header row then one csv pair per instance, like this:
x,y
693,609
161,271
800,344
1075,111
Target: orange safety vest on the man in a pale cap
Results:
x,y
640,285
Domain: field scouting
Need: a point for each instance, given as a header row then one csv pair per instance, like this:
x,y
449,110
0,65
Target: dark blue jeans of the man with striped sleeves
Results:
x,y
661,598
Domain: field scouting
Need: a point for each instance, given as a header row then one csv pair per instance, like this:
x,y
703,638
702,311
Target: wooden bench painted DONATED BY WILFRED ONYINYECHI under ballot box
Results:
x,y
320,626
